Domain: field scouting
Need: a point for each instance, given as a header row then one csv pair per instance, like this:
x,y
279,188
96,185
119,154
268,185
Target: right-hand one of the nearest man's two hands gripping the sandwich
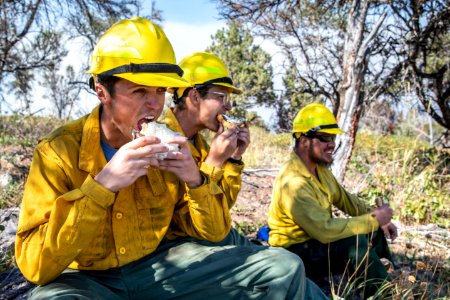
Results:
x,y
181,163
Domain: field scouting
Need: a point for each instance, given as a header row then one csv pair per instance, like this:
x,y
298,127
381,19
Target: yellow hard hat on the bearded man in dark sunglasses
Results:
x,y
317,118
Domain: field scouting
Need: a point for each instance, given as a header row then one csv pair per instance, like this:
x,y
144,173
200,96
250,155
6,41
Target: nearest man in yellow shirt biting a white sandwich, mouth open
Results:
x,y
98,202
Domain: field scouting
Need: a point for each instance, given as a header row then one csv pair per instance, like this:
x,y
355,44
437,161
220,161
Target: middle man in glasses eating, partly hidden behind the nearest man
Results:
x,y
200,107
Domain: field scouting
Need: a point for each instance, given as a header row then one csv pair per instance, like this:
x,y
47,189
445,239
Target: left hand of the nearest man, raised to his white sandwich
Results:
x,y
130,162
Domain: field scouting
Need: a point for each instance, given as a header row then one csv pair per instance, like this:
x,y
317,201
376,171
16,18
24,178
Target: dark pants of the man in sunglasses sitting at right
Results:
x,y
357,257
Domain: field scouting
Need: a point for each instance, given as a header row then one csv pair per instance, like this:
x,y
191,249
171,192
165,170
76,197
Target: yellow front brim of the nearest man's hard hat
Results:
x,y
155,79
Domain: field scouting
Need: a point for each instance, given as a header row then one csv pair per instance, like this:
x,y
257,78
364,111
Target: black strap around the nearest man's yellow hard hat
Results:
x,y
144,68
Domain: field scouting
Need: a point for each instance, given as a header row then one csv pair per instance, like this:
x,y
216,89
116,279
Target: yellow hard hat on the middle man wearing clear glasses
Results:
x,y
204,68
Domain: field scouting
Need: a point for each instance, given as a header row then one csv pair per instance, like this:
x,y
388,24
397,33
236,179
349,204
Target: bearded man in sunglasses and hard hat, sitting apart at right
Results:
x,y
300,213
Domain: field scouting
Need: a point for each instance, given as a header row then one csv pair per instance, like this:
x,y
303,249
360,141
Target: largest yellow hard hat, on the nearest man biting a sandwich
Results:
x,y
139,51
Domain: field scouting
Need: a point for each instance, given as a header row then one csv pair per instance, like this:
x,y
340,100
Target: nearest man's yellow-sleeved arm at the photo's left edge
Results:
x,y
56,223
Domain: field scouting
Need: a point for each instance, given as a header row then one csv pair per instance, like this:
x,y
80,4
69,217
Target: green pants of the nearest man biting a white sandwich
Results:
x,y
189,269
